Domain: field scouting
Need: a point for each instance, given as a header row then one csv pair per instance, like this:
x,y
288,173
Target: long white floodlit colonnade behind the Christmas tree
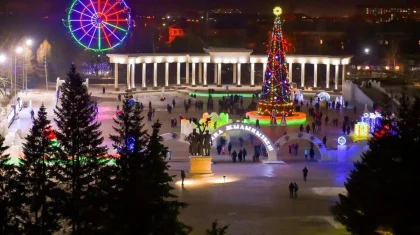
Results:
x,y
218,56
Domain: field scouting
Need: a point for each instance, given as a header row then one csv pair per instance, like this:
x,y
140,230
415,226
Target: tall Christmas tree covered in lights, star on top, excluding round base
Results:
x,y
275,92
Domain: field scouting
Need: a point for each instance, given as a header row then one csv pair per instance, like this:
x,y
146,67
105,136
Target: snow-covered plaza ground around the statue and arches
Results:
x,y
251,196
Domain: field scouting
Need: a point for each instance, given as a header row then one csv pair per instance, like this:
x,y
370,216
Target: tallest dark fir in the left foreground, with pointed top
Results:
x,y
82,156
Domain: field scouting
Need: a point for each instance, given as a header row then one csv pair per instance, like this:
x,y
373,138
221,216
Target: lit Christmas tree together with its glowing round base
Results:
x,y
276,94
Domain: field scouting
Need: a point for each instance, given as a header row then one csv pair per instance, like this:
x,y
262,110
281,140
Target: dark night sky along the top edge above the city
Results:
x,y
310,7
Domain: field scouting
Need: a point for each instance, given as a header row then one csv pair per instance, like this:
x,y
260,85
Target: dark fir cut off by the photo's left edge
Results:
x,y
12,214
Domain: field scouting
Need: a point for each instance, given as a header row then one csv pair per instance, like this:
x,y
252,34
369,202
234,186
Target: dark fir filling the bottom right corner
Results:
x,y
382,189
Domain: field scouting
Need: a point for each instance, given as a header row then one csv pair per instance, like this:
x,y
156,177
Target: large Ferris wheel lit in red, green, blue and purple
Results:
x,y
99,25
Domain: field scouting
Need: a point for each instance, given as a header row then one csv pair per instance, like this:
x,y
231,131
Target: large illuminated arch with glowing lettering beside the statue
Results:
x,y
271,151
